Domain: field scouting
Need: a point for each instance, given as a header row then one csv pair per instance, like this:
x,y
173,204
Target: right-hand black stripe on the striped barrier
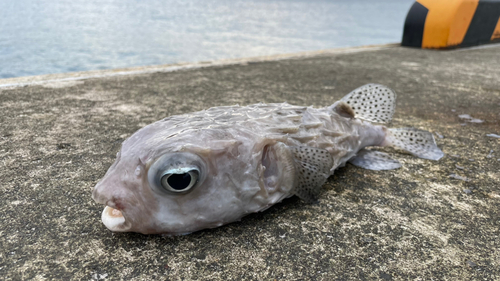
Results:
x,y
483,23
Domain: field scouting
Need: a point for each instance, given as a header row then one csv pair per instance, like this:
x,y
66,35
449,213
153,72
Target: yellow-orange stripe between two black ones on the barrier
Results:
x,y
447,21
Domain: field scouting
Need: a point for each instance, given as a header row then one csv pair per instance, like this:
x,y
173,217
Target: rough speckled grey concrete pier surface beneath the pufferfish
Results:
x,y
426,221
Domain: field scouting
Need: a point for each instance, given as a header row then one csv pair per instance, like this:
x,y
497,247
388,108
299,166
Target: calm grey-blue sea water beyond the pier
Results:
x,y
56,36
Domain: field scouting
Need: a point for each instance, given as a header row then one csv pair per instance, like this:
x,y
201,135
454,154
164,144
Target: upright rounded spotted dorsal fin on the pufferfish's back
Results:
x,y
372,102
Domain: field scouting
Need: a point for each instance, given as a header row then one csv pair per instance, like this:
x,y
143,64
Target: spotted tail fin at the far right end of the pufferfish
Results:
x,y
417,142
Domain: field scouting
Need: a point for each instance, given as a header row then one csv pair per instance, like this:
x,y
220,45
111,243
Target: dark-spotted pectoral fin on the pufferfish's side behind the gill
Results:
x,y
312,166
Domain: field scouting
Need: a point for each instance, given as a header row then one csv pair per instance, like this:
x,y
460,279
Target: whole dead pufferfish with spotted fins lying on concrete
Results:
x,y
212,167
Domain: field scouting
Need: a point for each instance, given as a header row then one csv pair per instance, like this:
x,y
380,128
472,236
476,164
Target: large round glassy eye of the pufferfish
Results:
x,y
176,173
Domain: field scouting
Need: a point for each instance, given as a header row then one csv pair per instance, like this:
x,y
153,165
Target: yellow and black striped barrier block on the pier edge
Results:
x,y
443,24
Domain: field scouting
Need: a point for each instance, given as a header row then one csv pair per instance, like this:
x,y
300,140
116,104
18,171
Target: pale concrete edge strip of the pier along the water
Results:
x,y
74,76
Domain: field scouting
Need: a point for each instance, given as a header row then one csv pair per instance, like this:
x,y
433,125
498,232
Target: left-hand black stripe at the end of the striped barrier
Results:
x,y
413,31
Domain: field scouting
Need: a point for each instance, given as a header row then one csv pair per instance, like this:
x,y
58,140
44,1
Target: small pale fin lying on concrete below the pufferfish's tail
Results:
x,y
374,160
